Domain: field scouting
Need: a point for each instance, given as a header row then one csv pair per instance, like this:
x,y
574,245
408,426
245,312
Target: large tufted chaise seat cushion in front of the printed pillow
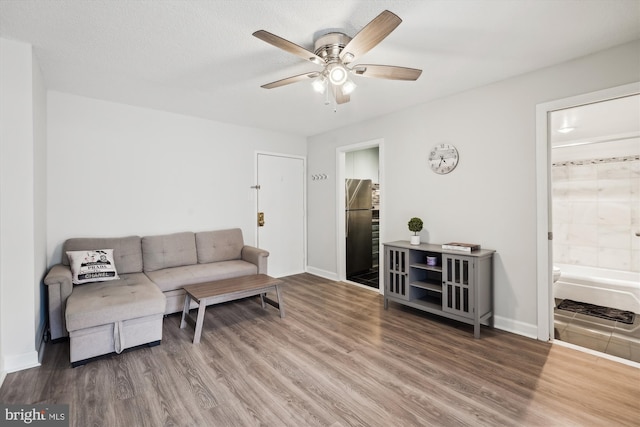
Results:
x,y
94,304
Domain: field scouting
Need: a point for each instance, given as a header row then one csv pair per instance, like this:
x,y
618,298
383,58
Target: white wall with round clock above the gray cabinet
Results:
x,y
490,198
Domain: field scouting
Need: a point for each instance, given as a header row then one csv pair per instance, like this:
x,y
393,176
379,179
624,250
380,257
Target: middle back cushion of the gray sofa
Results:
x,y
169,250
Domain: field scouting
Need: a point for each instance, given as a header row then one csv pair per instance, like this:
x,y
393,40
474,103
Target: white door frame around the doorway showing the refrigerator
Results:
x,y
340,205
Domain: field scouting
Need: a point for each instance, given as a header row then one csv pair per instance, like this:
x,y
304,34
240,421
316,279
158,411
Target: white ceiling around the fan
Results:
x,y
199,57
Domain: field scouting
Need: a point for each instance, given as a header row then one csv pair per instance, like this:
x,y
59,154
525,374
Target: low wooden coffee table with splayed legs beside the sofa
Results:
x,y
209,293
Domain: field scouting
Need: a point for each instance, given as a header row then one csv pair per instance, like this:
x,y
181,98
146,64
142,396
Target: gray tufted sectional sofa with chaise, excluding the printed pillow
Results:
x,y
106,317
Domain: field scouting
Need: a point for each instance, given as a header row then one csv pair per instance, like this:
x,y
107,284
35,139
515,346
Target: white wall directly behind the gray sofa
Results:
x,y
115,170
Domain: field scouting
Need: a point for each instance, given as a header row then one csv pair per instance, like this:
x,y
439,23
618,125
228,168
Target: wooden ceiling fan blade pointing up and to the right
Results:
x,y
372,34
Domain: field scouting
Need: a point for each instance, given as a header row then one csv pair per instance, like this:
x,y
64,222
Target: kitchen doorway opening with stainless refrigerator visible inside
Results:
x,y
359,214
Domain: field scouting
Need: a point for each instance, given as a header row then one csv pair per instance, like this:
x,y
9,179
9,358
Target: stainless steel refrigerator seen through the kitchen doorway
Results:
x,y
358,225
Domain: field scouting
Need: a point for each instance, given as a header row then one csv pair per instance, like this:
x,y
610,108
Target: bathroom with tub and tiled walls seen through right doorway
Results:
x,y
594,182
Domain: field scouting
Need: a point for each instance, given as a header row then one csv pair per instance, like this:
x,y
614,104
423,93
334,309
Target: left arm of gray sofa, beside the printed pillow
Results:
x,y
59,285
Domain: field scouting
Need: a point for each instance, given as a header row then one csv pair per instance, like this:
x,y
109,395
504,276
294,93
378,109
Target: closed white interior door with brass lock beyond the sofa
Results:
x,y
281,199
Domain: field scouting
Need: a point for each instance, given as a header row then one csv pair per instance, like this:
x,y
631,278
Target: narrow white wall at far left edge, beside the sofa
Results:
x,y
21,136
